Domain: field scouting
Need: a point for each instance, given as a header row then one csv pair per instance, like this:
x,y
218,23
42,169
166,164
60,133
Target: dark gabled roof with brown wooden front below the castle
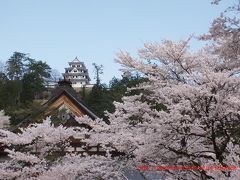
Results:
x,y
63,107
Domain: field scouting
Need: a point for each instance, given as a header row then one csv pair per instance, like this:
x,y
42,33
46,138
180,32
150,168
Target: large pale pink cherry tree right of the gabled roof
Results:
x,y
187,113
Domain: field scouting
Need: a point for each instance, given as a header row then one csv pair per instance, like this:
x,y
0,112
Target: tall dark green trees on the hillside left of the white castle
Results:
x,y
23,80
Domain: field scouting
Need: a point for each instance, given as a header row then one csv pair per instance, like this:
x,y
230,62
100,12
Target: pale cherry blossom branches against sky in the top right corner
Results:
x,y
225,35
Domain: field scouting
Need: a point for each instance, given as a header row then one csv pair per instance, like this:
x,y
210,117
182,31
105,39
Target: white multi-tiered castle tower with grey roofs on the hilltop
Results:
x,y
77,73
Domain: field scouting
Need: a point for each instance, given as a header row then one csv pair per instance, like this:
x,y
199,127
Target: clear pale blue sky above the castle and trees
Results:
x,y
56,31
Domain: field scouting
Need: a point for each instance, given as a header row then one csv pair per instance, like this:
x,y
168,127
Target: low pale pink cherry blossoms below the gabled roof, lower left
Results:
x,y
41,153
